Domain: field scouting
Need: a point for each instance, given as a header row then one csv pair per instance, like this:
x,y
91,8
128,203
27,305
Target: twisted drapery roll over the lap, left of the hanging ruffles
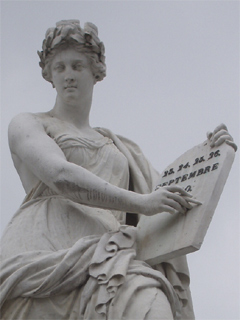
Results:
x,y
39,274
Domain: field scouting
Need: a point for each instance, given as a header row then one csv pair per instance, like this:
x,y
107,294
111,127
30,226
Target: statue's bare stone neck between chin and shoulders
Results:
x,y
74,113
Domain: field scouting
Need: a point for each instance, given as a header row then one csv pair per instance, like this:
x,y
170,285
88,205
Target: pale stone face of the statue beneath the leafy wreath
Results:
x,y
71,75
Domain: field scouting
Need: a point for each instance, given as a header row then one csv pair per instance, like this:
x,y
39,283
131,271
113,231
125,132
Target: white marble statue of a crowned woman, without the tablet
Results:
x,y
68,252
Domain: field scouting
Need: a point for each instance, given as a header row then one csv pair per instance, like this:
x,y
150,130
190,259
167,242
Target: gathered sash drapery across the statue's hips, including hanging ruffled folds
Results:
x,y
101,264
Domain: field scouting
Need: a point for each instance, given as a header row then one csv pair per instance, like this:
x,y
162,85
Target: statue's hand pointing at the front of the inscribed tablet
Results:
x,y
170,199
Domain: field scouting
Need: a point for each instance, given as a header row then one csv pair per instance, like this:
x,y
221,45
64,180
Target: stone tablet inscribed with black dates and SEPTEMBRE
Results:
x,y
202,171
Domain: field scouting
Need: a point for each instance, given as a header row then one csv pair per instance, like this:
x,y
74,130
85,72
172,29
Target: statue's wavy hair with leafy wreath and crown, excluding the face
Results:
x,y
69,34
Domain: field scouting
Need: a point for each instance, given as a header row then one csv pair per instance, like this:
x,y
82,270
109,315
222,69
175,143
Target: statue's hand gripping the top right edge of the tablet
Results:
x,y
221,135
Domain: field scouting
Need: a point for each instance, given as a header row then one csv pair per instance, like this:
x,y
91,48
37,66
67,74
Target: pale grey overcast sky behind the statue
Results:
x,y
172,75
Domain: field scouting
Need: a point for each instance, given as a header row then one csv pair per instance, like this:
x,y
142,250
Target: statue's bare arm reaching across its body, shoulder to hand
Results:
x,y
30,143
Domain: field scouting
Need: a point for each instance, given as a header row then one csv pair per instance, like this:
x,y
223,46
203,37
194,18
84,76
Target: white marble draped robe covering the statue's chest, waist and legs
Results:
x,y
65,260
